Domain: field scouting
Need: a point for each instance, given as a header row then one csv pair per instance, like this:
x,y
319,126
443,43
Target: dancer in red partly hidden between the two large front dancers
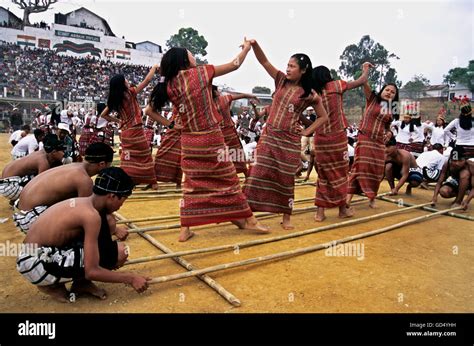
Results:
x,y
231,137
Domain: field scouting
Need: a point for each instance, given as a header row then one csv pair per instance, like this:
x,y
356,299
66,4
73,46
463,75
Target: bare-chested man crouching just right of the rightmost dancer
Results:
x,y
401,164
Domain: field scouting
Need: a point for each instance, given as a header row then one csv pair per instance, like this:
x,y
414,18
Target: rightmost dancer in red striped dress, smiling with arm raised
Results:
x,y
369,162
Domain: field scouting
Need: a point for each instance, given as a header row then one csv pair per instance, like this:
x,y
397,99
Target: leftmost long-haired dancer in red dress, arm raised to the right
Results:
x,y
135,158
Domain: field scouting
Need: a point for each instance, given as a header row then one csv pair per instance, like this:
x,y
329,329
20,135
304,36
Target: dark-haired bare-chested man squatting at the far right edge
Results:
x,y
456,178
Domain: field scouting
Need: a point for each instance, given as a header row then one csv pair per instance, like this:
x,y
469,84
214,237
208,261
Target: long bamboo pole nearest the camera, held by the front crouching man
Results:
x,y
295,252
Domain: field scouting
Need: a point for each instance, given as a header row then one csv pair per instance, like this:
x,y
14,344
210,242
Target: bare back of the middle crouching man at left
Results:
x,y
55,185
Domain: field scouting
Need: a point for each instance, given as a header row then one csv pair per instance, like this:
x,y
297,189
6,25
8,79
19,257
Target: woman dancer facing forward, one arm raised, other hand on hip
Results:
x,y
271,182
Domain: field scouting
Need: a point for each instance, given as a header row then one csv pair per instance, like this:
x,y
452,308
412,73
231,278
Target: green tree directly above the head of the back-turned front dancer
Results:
x,y
190,39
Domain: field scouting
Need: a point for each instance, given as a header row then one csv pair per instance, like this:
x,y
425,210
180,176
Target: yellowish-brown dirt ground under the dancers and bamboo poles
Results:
x,y
426,267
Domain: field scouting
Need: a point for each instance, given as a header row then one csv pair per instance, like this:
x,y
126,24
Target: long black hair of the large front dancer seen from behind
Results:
x,y
174,60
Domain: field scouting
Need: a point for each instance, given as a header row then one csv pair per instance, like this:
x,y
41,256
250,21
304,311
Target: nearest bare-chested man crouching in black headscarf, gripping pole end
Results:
x,y
72,241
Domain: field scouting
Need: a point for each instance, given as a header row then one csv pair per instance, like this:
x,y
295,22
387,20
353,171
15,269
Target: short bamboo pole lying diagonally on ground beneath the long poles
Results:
x,y
182,262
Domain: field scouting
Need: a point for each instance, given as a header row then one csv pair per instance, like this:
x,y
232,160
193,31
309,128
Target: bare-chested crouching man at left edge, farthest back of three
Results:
x,y
19,172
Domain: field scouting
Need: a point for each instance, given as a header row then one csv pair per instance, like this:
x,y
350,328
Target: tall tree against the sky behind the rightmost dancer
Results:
x,y
352,59
